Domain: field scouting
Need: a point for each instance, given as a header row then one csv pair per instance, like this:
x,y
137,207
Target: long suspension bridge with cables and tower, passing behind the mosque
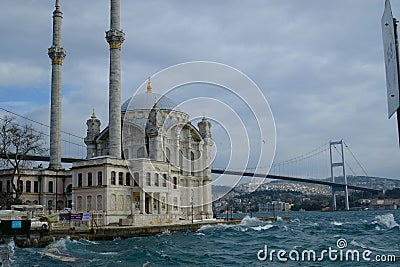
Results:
x,y
324,165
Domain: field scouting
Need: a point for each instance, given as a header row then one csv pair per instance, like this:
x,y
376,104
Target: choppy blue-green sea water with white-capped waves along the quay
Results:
x,y
359,238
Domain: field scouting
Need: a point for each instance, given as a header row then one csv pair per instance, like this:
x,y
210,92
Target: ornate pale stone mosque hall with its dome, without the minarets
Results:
x,y
166,170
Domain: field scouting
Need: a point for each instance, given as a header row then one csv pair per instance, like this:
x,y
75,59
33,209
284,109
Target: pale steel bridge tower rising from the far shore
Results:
x,y
338,164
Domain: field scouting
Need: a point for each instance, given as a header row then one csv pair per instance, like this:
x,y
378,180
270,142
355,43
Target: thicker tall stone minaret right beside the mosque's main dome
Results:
x,y
115,37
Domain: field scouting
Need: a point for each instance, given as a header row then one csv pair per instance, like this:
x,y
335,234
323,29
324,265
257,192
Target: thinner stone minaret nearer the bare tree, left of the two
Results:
x,y
56,53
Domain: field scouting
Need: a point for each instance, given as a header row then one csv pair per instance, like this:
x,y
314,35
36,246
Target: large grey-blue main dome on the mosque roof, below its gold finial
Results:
x,y
147,100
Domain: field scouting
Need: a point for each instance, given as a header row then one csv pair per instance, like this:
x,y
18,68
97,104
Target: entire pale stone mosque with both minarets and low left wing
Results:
x,y
149,165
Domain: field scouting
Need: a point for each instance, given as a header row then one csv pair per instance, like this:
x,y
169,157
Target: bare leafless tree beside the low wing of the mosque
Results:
x,y
18,142
